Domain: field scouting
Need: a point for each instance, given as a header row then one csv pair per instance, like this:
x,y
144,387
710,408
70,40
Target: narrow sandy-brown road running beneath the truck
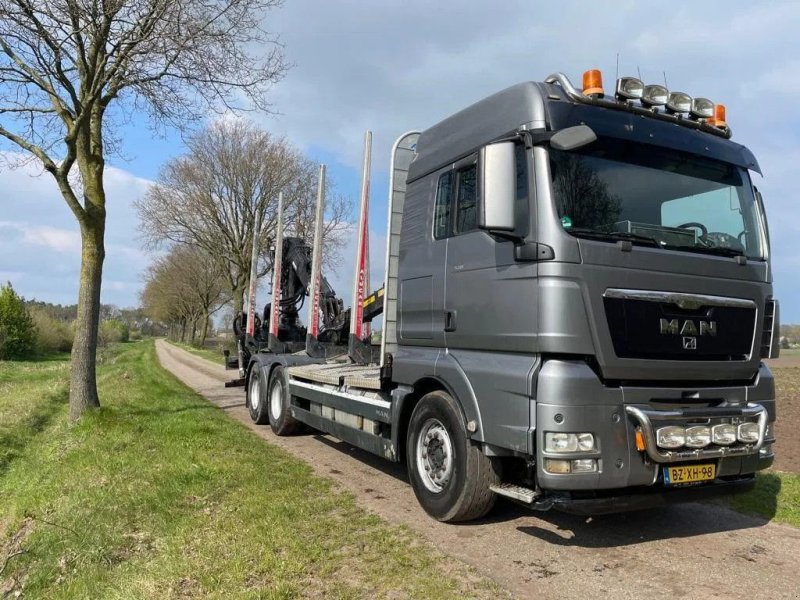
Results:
x,y
686,551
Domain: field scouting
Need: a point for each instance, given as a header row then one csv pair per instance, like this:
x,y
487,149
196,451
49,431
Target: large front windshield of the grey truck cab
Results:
x,y
612,190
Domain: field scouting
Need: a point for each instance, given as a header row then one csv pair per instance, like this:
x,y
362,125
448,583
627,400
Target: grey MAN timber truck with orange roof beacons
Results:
x,y
577,305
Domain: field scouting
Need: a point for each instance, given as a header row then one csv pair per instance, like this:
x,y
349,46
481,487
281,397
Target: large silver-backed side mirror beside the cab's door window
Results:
x,y
498,181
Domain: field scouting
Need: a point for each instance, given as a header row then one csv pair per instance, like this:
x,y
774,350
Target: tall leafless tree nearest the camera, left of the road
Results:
x,y
66,65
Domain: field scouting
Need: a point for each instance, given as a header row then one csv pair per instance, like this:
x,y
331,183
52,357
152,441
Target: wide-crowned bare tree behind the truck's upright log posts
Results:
x,y
211,196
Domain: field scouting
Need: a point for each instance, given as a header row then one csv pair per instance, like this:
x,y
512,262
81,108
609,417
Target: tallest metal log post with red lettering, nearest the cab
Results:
x,y
359,347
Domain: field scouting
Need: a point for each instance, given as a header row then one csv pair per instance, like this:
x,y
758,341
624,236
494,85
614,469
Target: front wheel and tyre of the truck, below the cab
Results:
x,y
450,476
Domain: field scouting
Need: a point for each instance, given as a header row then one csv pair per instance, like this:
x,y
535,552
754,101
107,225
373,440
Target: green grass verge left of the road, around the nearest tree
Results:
x,y
159,494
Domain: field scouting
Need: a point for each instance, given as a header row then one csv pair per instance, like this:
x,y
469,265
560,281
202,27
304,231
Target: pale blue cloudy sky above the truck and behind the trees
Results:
x,y
391,66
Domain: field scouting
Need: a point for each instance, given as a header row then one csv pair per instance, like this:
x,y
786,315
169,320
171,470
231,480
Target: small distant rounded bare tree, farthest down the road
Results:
x,y
184,288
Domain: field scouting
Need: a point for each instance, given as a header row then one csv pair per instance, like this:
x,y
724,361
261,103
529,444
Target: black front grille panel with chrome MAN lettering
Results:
x,y
676,326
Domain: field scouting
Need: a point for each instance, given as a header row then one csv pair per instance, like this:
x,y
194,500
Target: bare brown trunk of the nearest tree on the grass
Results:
x,y
83,379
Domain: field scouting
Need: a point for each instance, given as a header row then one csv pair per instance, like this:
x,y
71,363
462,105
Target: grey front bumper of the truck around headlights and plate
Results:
x,y
571,398
